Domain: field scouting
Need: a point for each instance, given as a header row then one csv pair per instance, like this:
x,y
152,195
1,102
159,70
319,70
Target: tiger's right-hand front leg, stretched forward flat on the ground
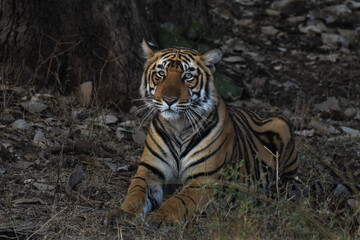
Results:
x,y
183,205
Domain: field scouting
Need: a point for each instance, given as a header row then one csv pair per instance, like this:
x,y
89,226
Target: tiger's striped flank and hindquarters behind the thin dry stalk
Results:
x,y
258,141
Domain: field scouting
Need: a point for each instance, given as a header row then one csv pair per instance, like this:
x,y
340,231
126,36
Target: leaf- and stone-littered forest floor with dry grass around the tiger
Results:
x,y
63,166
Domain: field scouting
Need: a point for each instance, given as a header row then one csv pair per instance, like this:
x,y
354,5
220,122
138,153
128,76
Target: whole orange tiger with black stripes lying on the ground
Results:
x,y
194,134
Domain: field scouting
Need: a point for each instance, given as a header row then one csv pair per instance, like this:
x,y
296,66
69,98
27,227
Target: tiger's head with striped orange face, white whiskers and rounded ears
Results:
x,y
178,82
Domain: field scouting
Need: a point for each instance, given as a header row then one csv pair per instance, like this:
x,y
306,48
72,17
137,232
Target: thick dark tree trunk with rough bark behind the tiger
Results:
x,y
65,43
